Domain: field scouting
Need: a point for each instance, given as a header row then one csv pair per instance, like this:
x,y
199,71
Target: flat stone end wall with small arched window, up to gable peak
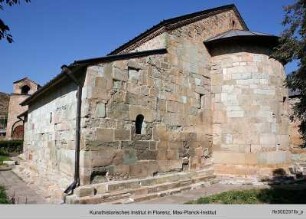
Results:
x,y
172,92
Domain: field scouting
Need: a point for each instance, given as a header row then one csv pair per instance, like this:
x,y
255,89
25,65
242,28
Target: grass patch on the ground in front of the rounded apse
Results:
x,y
257,196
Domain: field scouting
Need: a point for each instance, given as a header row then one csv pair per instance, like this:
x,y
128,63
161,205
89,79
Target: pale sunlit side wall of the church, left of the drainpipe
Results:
x,y
49,143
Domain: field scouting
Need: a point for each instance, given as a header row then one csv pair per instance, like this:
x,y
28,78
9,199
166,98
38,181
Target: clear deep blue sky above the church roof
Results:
x,y
48,34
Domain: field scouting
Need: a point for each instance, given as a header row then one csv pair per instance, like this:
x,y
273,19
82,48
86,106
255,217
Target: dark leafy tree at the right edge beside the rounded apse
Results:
x,y
292,47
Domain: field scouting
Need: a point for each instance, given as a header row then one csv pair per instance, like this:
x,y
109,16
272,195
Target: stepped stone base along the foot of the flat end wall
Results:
x,y
139,189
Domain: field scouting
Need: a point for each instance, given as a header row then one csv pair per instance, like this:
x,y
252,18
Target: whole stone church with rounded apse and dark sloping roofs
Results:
x,y
191,97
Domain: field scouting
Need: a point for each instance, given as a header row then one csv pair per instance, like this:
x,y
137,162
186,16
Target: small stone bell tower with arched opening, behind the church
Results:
x,y
22,89
